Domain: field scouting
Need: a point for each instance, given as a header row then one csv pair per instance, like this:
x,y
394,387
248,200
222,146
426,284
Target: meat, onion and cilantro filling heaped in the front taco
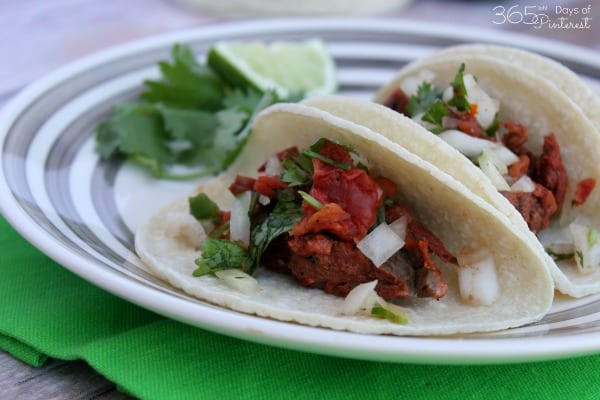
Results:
x,y
321,216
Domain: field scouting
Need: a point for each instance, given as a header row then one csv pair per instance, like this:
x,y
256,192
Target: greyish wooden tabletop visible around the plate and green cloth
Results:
x,y
39,36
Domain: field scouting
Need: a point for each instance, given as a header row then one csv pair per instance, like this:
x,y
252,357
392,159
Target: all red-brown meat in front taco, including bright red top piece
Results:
x,y
320,251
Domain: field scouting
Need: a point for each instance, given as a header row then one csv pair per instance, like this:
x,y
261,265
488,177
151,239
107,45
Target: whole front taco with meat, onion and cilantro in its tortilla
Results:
x,y
348,231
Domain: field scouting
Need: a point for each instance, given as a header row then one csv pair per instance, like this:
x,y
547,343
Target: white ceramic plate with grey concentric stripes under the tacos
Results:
x,y
82,212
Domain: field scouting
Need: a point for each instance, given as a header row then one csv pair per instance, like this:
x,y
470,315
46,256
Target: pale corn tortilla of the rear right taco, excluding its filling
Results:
x,y
540,105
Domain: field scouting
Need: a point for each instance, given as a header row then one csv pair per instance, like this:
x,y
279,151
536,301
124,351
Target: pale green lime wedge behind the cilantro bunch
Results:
x,y
286,67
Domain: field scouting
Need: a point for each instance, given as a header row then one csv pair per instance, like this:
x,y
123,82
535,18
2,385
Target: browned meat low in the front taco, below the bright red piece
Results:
x,y
336,266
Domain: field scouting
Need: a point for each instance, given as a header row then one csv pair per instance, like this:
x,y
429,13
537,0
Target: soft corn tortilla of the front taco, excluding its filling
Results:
x,y
442,203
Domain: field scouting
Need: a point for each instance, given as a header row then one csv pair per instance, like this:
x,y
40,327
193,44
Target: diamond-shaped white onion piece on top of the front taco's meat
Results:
x,y
380,244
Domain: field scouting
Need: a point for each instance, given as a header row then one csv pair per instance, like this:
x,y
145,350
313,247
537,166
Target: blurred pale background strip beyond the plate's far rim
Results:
x,y
39,36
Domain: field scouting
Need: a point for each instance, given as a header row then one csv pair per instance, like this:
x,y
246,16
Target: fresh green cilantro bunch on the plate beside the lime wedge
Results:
x,y
187,123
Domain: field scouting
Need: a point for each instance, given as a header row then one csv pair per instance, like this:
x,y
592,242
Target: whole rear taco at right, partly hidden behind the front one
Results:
x,y
531,142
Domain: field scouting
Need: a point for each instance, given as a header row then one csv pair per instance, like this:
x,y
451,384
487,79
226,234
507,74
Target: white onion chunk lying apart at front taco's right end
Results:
x,y
477,277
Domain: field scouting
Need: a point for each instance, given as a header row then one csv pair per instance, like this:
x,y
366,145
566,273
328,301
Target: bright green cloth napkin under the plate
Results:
x,y
47,311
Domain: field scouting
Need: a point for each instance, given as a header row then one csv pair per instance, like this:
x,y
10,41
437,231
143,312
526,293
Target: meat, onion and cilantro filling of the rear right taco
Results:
x,y
466,117
